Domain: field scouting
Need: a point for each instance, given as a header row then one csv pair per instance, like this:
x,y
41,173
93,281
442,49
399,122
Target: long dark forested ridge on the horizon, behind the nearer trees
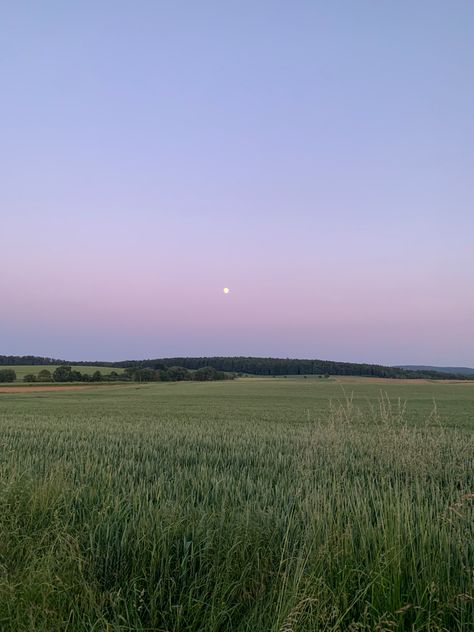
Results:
x,y
251,366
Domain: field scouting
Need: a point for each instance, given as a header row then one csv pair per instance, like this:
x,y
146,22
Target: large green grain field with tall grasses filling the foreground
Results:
x,y
259,505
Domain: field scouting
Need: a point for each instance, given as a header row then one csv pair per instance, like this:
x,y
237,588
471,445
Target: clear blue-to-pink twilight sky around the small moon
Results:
x,y
316,158
